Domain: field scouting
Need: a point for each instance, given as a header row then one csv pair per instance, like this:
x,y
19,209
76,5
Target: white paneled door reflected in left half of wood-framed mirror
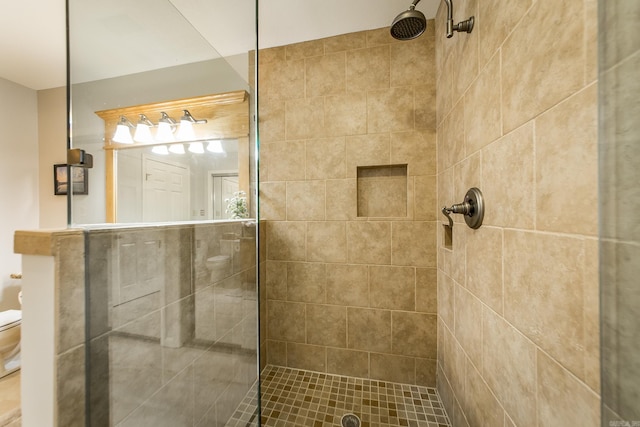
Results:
x,y
165,191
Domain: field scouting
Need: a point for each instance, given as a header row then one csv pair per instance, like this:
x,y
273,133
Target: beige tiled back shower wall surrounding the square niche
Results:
x,y
346,294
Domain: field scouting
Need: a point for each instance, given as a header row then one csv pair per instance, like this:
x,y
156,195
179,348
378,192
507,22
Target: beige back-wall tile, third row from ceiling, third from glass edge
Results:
x,y
345,114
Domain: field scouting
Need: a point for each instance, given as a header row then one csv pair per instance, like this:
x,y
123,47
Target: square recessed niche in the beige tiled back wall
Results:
x,y
382,191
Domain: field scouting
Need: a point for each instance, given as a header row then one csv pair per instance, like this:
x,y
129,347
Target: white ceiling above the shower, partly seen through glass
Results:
x,y
32,32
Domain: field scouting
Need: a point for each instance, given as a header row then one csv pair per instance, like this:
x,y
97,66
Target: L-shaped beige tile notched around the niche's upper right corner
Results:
x,y
415,149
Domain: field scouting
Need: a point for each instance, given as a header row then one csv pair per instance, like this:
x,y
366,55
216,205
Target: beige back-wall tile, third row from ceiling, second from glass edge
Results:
x,y
304,118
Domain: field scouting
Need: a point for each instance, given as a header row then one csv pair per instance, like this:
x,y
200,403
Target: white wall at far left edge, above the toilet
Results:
x,y
18,179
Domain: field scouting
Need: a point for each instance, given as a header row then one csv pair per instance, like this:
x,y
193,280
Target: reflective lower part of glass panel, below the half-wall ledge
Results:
x,y
172,323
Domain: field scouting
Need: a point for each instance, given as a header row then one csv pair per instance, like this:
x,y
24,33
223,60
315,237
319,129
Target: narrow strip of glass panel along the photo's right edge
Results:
x,y
619,145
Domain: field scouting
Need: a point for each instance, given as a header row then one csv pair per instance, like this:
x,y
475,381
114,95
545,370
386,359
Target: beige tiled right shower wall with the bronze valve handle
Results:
x,y
518,305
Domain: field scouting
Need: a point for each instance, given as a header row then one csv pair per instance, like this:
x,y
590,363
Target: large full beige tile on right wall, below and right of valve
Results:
x,y
544,293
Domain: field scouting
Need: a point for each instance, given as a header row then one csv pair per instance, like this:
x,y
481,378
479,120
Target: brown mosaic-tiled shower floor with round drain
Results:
x,y
292,397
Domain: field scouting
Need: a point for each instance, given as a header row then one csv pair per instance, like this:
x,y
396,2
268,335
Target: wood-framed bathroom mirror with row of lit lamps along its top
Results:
x,y
186,173
